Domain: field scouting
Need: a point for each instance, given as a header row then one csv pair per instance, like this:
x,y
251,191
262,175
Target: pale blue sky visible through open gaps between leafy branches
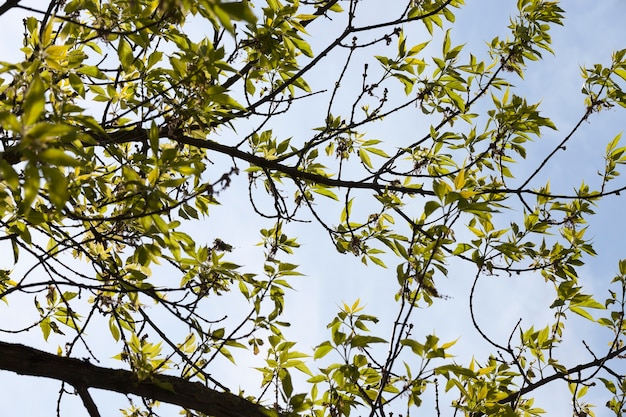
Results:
x,y
592,31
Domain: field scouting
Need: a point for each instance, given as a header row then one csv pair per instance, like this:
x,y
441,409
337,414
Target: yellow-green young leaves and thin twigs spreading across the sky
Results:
x,y
125,123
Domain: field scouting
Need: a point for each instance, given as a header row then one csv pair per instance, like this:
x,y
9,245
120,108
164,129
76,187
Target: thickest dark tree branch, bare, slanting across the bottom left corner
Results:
x,y
25,360
